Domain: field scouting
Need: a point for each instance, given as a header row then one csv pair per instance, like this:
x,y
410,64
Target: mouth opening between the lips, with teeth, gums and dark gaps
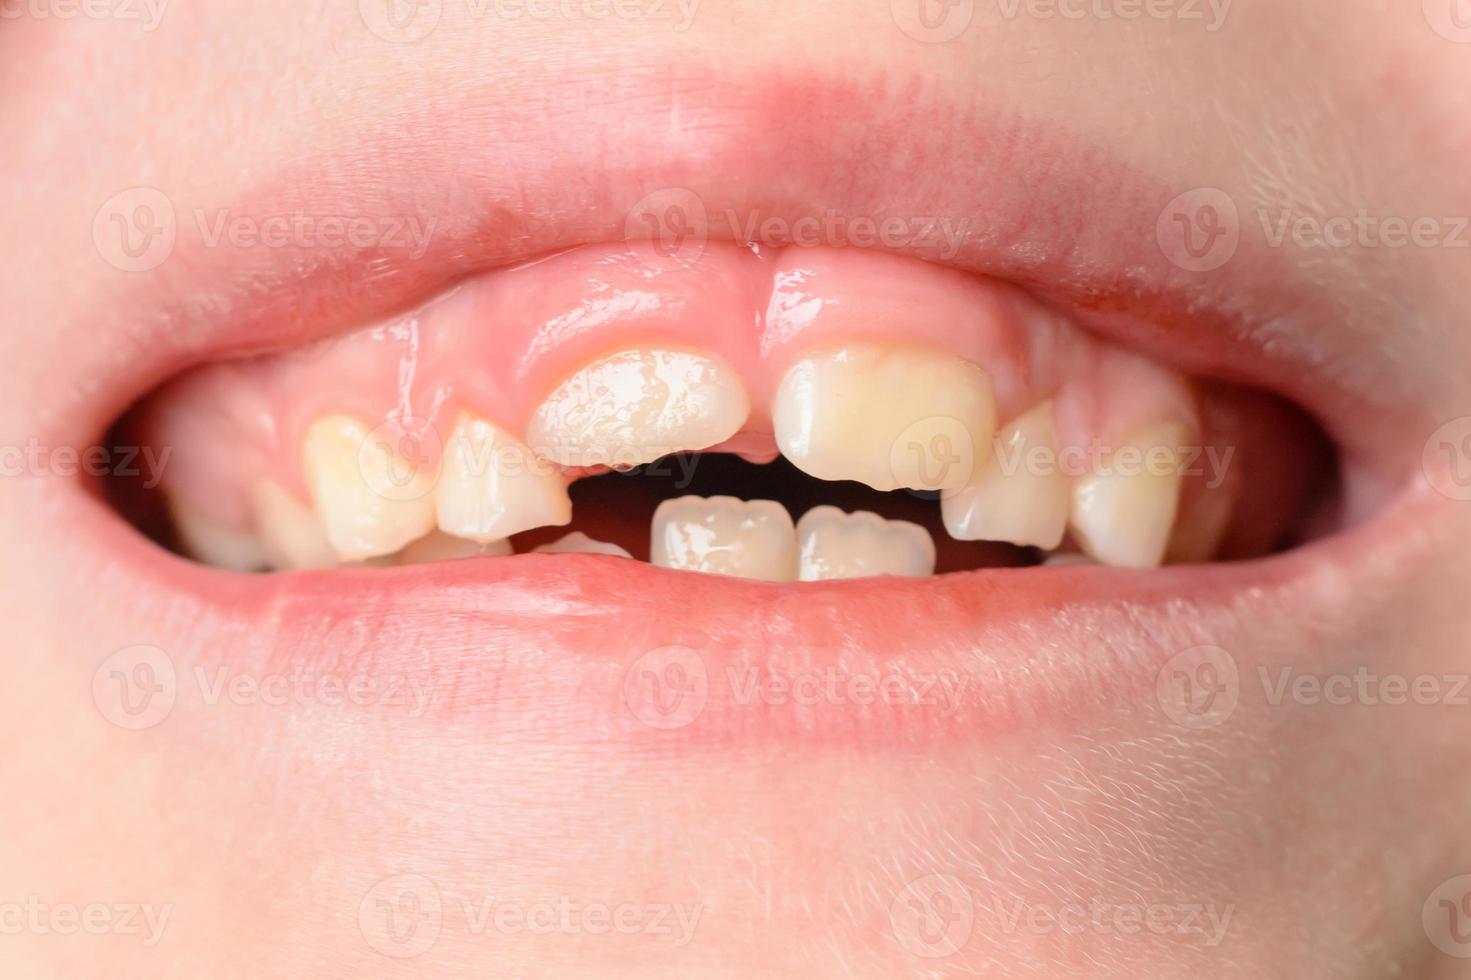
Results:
x,y
923,420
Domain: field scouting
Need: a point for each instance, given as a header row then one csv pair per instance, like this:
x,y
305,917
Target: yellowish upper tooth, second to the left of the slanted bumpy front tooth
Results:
x,y
371,501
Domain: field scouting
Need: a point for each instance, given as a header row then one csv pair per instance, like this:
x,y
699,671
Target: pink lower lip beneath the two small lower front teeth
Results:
x,y
620,651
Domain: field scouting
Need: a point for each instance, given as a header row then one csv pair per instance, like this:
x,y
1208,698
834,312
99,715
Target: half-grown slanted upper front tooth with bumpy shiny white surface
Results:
x,y
635,407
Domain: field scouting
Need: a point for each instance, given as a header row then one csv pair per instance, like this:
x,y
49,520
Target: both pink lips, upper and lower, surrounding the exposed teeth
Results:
x,y
554,639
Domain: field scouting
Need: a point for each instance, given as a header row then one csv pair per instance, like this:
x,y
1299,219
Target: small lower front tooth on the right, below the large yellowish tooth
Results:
x,y
838,545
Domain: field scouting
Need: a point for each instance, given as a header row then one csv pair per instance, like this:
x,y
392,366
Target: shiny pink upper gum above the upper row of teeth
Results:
x,y
501,342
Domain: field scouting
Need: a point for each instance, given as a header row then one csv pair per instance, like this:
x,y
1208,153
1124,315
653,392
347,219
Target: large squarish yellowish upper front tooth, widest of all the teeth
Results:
x,y
892,419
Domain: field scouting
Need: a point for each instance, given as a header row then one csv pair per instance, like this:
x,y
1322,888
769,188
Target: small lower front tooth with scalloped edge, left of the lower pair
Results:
x,y
726,536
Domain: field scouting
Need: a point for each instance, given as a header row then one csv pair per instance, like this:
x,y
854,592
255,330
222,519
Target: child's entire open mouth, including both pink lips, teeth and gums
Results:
x,y
1048,452
